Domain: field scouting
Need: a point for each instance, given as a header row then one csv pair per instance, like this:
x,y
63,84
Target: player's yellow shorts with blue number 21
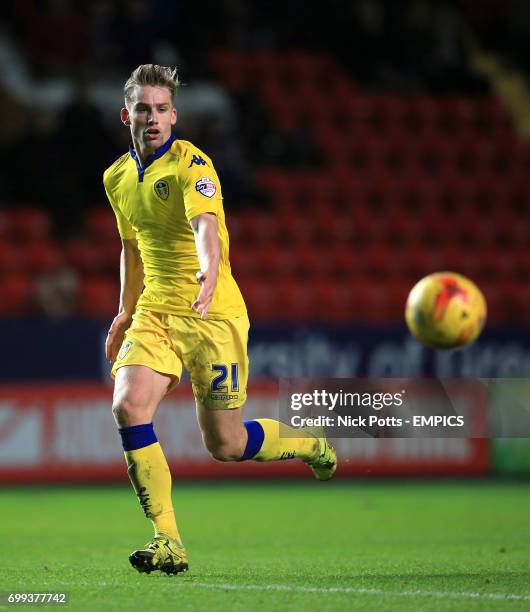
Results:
x,y
213,352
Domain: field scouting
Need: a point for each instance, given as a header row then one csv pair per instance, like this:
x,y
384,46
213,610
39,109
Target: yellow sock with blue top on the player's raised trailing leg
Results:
x,y
270,440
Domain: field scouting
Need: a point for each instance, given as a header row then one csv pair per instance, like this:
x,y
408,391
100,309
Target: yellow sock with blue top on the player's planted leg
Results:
x,y
150,476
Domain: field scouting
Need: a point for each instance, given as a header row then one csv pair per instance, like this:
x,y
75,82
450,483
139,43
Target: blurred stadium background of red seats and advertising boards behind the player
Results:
x,y
360,145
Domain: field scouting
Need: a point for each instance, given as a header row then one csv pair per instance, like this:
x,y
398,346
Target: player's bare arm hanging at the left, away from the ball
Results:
x,y
131,287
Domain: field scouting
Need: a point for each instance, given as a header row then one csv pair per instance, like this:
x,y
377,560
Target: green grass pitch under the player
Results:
x,y
309,546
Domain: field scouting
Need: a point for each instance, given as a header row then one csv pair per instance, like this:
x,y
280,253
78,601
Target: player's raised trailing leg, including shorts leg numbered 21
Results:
x,y
219,373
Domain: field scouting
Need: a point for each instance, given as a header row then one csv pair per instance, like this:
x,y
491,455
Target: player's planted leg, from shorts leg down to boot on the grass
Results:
x,y
145,369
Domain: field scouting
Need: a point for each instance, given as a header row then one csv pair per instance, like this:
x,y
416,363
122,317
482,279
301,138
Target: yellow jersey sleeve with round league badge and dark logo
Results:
x,y
200,185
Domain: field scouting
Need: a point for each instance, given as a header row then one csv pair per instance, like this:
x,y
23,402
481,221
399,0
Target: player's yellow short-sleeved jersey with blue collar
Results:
x,y
153,204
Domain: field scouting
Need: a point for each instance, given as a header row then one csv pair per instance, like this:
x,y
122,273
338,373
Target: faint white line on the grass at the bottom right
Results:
x,y
357,591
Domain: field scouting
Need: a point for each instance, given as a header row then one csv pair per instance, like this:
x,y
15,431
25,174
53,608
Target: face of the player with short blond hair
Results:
x,y
150,115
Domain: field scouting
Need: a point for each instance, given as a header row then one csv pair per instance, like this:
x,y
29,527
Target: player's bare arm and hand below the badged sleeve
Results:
x,y
207,242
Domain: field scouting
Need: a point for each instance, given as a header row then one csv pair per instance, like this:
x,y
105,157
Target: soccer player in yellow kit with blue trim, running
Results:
x,y
179,307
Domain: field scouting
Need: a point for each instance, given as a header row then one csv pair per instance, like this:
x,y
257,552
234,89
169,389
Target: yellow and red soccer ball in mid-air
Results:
x,y
445,310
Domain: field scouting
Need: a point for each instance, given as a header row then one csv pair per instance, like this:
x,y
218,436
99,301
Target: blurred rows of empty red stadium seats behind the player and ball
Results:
x,y
399,183
